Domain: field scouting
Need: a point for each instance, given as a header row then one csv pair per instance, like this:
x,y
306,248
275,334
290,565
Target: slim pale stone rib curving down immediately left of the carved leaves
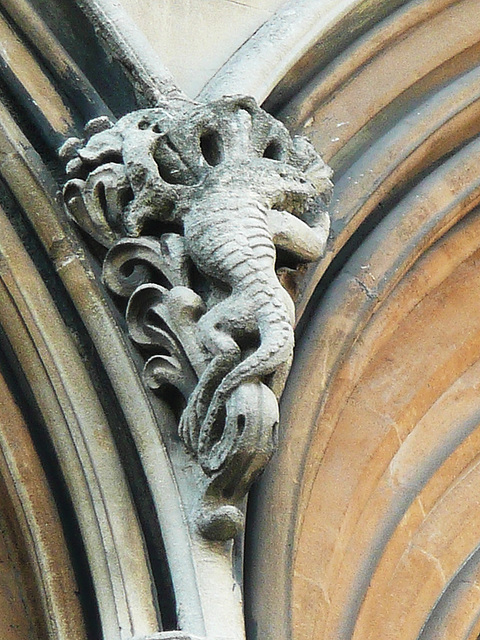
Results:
x,y
31,184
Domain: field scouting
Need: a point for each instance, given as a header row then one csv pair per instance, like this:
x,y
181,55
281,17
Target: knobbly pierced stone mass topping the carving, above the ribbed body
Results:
x,y
152,162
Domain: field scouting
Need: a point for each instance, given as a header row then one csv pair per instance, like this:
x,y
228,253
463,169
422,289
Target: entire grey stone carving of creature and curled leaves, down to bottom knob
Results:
x,y
191,203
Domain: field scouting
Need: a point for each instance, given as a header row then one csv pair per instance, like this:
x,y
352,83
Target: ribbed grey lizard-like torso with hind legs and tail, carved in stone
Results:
x,y
229,240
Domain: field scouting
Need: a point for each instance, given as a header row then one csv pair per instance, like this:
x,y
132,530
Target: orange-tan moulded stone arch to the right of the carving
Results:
x,y
382,400
